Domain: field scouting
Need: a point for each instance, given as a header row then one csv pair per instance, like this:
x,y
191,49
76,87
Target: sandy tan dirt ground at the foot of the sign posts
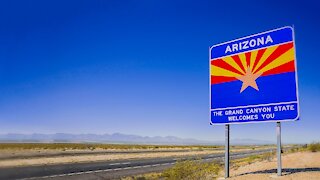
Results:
x,y
300,165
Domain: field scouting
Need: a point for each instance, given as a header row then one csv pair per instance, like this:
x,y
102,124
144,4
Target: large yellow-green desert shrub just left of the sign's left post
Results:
x,y
192,170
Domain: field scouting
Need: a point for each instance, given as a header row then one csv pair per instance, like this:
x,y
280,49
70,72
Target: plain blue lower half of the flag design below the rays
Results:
x,y
276,88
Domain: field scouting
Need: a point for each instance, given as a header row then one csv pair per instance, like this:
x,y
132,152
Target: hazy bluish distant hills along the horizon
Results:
x,y
117,138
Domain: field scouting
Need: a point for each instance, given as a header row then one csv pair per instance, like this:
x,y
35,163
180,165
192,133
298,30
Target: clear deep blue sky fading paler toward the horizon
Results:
x,y
139,67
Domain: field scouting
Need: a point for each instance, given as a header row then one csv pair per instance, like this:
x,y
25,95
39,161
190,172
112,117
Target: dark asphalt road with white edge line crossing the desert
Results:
x,y
109,169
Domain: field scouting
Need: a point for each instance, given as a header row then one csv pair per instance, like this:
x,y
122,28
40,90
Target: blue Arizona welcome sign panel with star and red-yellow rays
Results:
x,y
254,79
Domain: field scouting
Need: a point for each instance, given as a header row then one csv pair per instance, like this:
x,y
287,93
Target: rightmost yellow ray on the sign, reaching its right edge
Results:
x,y
282,59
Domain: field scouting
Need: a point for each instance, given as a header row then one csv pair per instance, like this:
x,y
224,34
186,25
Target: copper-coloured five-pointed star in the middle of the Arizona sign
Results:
x,y
249,79
